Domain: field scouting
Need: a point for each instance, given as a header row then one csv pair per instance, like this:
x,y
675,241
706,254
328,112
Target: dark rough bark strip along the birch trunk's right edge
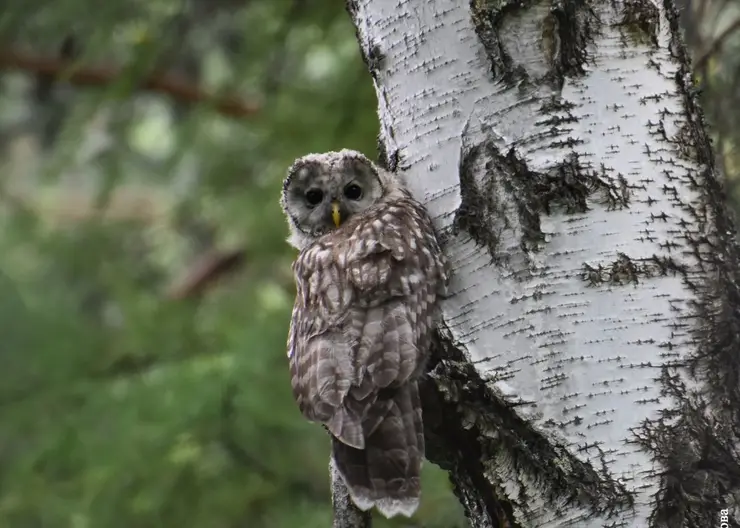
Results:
x,y
696,440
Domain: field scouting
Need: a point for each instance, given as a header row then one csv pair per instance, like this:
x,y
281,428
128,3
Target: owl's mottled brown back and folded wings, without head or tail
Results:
x,y
363,317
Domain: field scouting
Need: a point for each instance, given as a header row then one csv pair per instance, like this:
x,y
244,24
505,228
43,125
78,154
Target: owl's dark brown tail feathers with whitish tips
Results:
x,y
386,474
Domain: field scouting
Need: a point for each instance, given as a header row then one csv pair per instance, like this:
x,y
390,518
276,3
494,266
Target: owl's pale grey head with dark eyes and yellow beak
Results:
x,y
322,191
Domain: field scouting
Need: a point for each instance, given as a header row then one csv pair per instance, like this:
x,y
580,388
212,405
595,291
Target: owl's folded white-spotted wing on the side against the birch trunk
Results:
x,y
391,270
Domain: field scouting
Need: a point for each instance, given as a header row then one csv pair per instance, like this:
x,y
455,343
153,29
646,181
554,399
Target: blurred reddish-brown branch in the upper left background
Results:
x,y
172,85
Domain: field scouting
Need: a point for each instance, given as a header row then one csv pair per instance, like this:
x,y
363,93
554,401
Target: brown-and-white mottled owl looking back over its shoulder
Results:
x,y
368,278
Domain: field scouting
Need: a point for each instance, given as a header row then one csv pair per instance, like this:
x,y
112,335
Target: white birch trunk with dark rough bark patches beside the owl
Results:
x,y
588,370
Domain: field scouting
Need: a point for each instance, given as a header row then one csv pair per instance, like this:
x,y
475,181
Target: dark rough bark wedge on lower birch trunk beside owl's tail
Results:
x,y
467,425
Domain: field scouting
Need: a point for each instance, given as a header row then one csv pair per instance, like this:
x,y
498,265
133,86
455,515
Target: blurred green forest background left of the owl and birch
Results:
x,y
136,390
